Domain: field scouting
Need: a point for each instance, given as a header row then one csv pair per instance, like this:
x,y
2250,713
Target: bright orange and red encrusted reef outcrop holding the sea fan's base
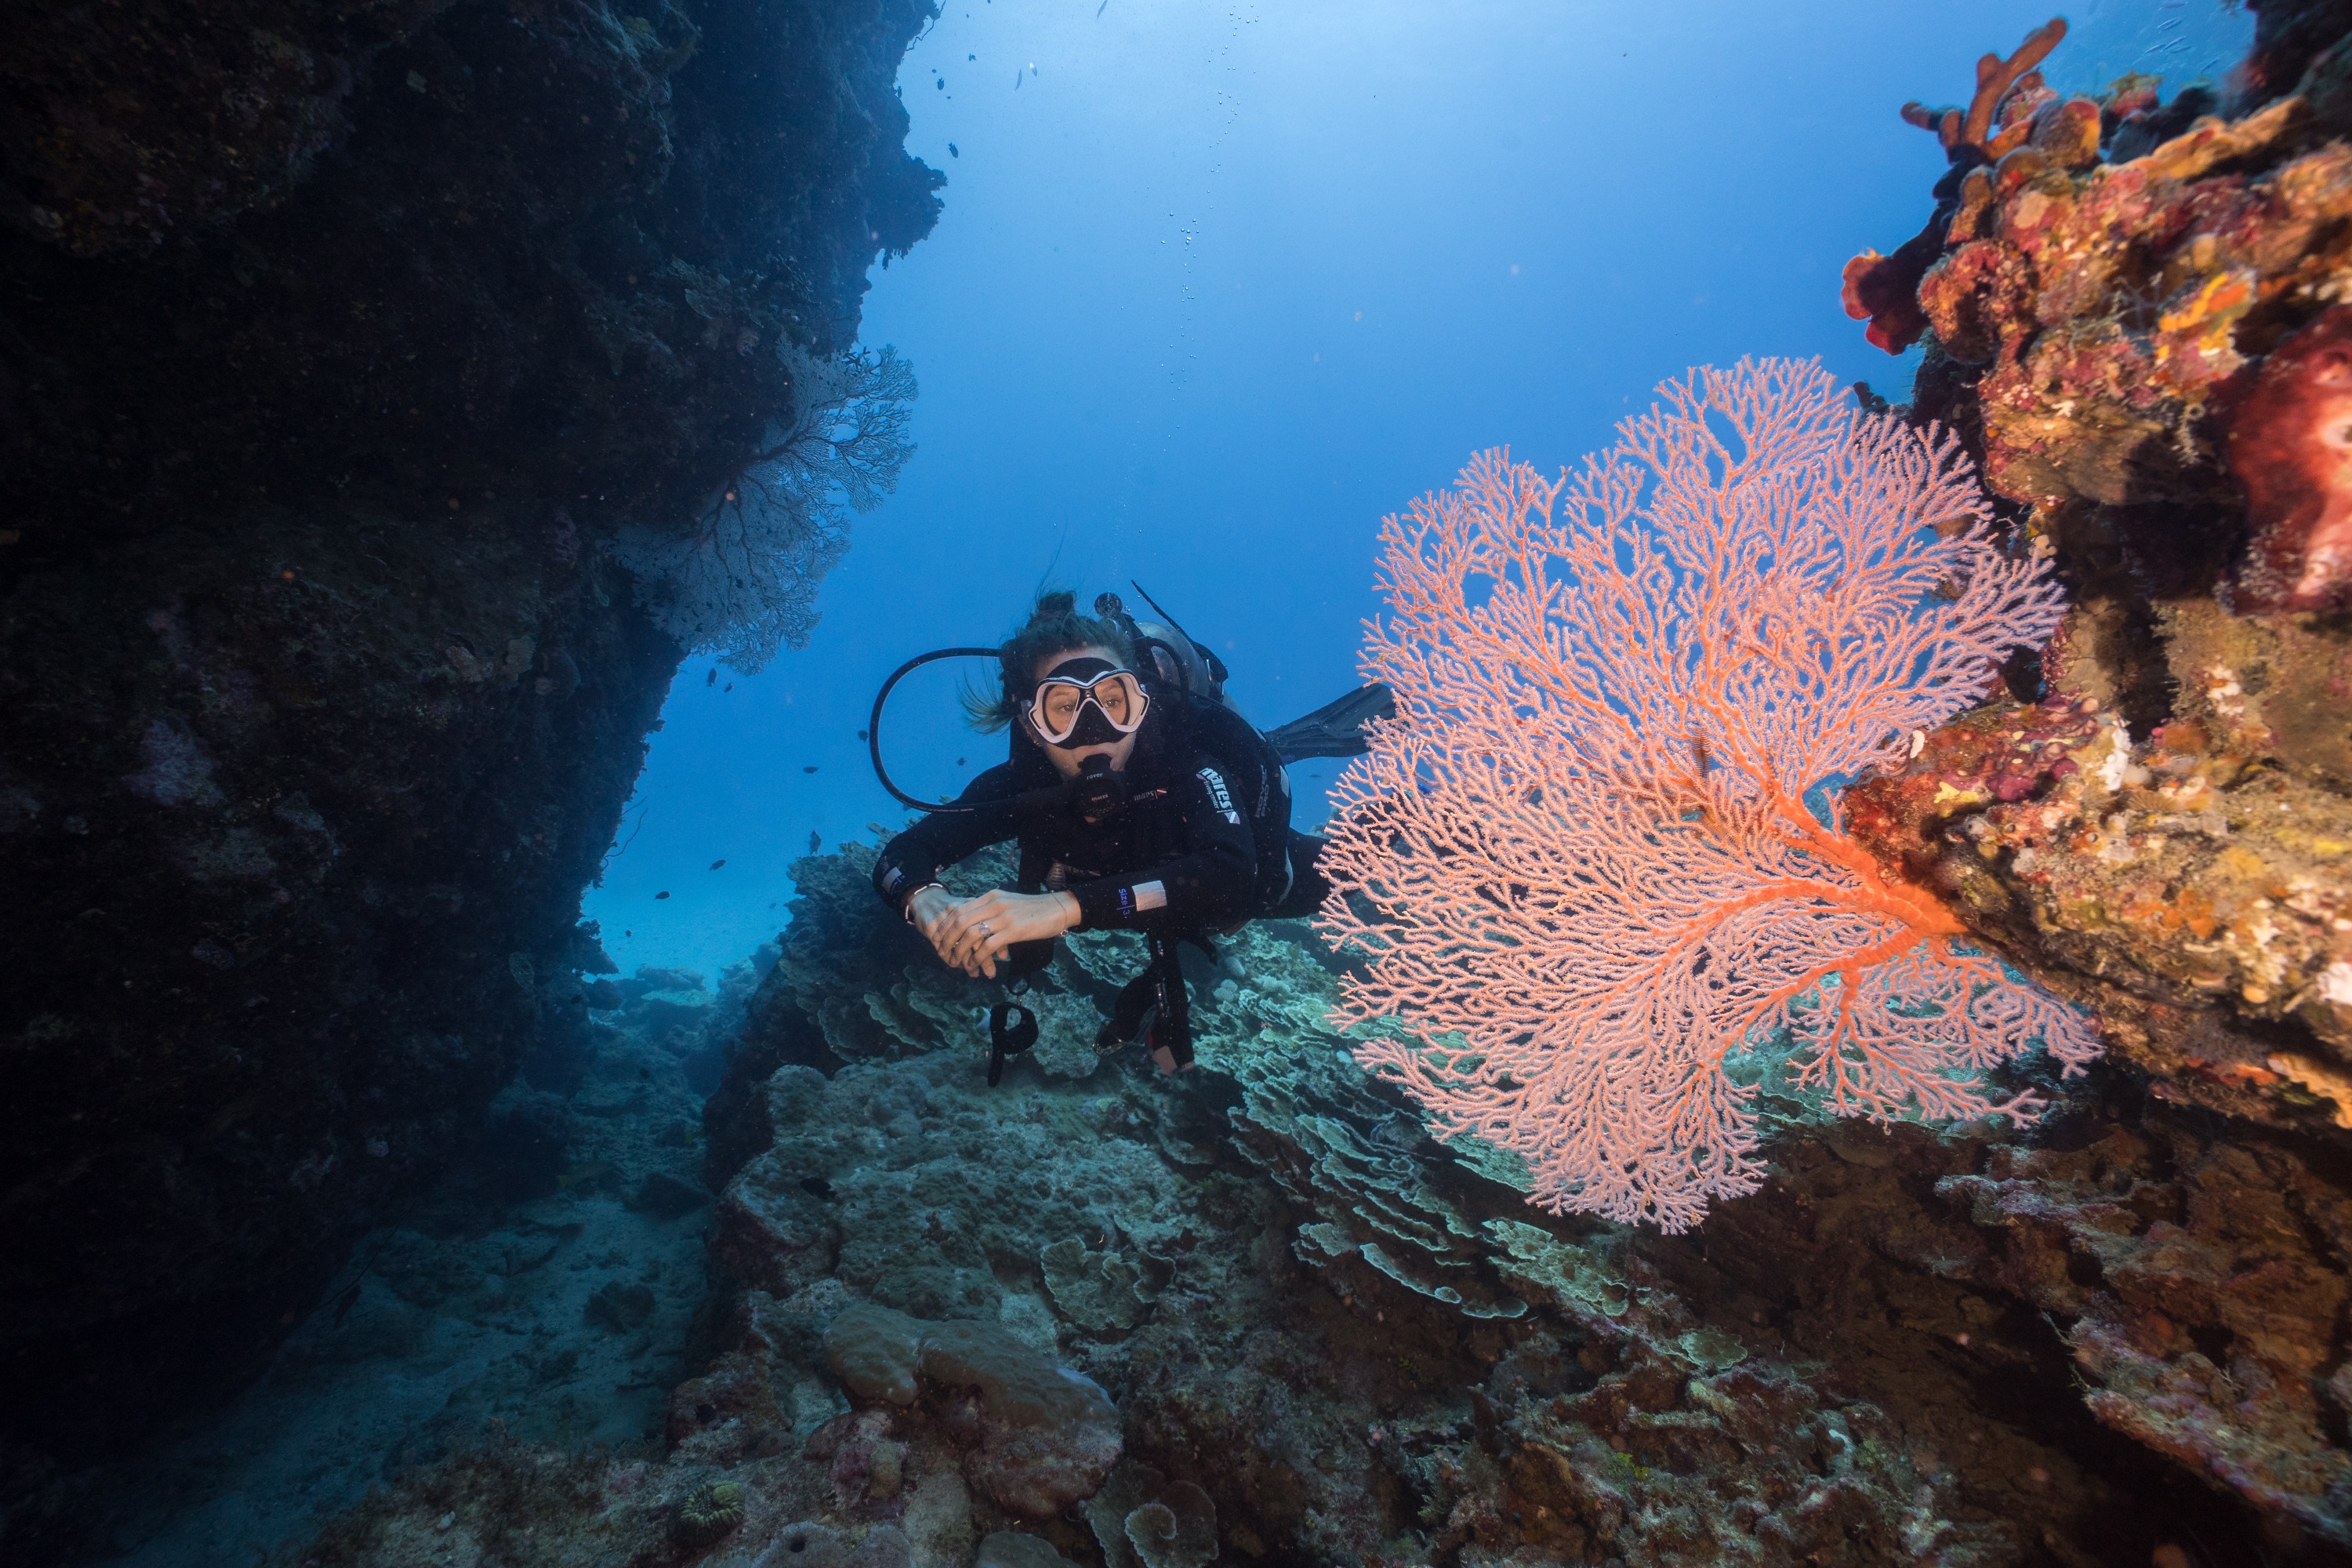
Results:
x,y
2132,311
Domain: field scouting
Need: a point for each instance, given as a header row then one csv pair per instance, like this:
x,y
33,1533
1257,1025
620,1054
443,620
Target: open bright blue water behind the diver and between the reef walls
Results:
x,y
1220,286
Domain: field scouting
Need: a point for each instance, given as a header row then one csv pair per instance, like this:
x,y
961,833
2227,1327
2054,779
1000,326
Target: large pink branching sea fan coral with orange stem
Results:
x,y
1582,859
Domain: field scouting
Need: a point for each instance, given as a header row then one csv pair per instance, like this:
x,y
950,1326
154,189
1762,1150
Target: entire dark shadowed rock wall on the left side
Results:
x,y
335,342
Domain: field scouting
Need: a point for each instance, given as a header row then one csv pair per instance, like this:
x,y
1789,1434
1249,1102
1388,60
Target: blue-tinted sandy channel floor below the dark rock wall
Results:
x,y
533,1289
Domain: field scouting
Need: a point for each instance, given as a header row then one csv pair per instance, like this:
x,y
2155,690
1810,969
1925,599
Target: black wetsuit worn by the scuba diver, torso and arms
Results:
x,y
1182,859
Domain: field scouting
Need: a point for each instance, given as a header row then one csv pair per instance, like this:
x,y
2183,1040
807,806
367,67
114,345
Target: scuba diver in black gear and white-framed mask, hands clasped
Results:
x,y
1142,800
